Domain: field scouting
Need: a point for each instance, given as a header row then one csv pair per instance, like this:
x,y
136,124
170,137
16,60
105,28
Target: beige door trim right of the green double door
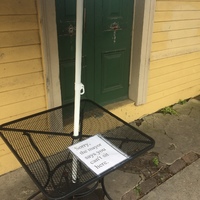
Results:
x,y
141,50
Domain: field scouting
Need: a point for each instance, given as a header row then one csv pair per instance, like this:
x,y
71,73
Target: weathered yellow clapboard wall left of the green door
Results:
x,y
21,73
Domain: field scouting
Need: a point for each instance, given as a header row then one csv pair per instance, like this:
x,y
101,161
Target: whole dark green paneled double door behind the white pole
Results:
x,y
107,27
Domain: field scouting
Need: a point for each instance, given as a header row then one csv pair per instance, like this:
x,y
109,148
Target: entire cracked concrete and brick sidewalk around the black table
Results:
x,y
175,176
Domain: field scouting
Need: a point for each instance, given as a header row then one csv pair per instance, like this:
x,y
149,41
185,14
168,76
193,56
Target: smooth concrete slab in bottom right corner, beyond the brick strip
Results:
x,y
182,186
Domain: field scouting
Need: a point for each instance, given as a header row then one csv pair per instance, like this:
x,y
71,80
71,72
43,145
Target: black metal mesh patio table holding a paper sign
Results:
x,y
40,143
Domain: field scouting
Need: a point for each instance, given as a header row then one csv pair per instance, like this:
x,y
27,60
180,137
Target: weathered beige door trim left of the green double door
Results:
x,y
49,47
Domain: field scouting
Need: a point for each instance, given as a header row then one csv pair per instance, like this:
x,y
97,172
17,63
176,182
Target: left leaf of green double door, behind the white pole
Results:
x,y
66,27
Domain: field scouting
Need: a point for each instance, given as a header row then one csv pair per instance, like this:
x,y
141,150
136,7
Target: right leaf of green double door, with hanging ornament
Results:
x,y
113,28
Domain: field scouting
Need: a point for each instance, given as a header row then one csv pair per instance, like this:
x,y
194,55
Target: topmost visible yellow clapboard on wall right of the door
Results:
x,y
177,5
